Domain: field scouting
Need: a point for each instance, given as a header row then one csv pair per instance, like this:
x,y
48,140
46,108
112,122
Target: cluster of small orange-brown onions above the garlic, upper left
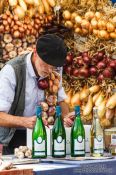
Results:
x,y
12,24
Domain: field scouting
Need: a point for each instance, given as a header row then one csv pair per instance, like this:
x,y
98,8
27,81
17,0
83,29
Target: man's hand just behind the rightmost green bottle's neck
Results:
x,y
69,119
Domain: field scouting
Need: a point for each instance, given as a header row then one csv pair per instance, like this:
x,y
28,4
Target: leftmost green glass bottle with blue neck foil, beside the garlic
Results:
x,y
39,137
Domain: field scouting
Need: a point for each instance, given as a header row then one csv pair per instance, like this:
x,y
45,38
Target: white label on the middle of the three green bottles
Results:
x,y
59,146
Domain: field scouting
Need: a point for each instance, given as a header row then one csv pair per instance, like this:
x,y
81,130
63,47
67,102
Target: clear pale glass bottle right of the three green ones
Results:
x,y
96,136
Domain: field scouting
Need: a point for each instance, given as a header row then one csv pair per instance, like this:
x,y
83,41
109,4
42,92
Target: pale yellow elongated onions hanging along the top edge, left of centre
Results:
x,y
21,8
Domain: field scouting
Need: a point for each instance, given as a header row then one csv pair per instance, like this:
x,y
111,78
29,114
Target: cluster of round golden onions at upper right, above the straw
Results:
x,y
91,23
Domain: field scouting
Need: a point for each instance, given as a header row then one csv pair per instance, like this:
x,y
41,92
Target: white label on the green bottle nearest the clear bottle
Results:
x,y
79,145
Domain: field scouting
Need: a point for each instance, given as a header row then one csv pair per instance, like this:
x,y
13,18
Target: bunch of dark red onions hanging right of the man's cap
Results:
x,y
84,66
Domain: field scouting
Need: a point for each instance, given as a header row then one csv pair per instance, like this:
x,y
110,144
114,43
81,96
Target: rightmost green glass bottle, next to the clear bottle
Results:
x,y
77,136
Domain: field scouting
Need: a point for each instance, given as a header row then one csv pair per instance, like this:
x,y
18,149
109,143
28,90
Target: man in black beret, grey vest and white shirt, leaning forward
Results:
x,y
19,93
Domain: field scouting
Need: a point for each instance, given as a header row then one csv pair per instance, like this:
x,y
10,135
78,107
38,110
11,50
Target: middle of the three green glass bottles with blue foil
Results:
x,y
58,136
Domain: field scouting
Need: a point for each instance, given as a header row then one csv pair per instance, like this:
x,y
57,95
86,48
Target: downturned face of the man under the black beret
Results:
x,y
43,69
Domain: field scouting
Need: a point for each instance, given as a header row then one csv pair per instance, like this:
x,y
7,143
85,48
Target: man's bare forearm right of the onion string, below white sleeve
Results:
x,y
64,107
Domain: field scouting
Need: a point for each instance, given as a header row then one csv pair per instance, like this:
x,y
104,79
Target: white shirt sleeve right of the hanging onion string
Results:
x,y
61,93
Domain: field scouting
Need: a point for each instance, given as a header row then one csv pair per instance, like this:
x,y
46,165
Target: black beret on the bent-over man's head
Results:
x,y
51,49
